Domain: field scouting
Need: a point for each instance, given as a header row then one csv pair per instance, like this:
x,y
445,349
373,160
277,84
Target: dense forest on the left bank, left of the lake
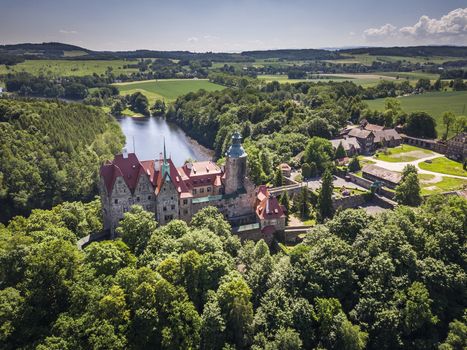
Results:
x,y
51,152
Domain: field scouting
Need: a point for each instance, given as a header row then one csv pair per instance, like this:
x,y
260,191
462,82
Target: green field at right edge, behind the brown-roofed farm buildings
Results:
x,y
434,103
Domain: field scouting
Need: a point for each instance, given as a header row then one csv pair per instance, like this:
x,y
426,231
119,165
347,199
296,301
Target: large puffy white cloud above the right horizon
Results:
x,y
450,28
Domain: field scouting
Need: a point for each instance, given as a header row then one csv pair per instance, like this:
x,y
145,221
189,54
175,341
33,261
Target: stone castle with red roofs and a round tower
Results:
x,y
178,193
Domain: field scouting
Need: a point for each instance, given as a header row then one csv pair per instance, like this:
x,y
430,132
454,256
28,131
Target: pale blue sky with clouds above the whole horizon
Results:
x,y
233,25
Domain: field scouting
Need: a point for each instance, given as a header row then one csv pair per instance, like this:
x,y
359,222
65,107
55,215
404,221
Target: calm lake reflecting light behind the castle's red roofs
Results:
x,y
149,133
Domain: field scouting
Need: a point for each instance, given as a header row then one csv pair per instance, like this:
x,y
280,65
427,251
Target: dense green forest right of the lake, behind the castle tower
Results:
x,y
278,120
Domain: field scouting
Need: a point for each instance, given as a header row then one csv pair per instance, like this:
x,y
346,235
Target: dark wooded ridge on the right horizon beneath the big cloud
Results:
x,y
410,51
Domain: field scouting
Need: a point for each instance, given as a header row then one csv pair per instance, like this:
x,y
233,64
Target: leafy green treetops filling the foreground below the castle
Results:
x,y
395,281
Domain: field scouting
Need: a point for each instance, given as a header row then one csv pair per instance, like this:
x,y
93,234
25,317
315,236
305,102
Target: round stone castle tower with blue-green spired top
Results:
x,y
235,165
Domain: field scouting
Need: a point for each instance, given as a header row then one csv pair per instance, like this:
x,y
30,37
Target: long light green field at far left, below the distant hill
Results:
x,y
68,67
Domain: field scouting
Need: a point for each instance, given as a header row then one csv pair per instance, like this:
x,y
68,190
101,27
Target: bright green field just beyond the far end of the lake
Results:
x,y
168,89
